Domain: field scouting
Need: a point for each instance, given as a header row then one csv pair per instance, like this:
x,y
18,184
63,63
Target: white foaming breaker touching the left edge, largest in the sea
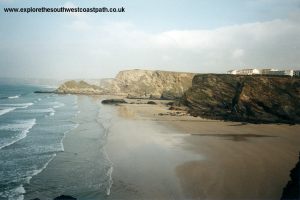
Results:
x,y
23,126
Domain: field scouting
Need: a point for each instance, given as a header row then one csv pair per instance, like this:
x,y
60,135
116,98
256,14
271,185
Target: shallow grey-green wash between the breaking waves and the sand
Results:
x,y
79,168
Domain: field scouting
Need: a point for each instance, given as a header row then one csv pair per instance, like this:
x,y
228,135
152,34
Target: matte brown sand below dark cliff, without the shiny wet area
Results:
x,y
240,161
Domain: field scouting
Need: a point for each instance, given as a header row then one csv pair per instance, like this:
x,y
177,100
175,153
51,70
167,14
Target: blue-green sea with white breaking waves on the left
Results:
x,y
32,128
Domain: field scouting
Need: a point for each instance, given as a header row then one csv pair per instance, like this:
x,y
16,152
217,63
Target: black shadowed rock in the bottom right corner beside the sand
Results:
x,y
292,189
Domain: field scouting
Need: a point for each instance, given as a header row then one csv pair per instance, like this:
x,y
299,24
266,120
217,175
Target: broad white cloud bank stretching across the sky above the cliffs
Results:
x,y
86,48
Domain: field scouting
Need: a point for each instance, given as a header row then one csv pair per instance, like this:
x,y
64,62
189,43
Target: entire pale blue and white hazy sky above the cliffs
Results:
x,y
178,35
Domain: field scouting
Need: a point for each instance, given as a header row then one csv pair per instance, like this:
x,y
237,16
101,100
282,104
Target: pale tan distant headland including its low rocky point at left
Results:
x,y
135,84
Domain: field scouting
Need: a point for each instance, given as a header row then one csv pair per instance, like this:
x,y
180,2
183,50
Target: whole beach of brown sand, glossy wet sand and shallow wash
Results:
x,y
132,151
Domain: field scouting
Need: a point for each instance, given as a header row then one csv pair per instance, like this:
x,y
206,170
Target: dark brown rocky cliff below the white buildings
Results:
x,y
245,98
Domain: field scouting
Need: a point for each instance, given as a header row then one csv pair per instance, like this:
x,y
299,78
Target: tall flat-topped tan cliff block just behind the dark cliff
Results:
x,y
155,84
